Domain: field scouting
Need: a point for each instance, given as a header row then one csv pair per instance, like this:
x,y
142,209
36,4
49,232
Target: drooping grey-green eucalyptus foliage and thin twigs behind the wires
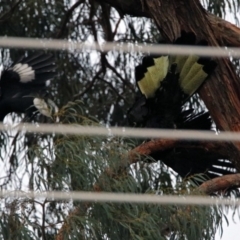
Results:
x,y
92,88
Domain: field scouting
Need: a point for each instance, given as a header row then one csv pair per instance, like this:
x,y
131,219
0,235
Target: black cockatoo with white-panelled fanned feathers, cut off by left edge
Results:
x,y
22,86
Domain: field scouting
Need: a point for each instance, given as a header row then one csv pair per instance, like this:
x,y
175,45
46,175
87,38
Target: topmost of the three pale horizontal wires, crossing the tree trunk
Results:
x,y
31,43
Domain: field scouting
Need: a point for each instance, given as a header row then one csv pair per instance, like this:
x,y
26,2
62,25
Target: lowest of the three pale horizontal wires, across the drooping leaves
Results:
x,y
122,198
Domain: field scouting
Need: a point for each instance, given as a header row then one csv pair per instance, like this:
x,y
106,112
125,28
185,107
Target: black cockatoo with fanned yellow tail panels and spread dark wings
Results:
x,y
165,84
